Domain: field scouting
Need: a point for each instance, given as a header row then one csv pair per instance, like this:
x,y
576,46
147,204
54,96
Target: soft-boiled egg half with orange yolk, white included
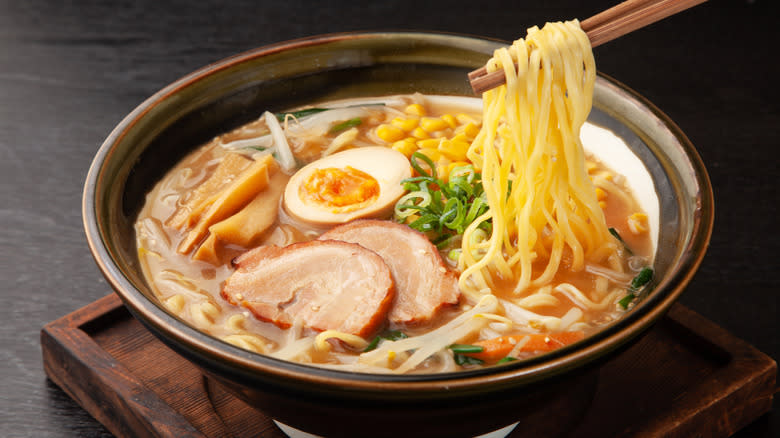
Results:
x,y
356,183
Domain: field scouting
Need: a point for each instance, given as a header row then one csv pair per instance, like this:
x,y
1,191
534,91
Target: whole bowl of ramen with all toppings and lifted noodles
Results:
x,y
338,232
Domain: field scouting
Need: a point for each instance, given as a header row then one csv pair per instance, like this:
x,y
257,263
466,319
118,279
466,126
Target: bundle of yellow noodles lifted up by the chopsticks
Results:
x,y
542,202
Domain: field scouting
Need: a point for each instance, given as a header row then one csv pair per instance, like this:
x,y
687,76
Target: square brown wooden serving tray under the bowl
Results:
x,y
686,377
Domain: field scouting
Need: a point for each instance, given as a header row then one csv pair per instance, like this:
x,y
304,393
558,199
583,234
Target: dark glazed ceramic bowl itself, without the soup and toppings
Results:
x,y
547,393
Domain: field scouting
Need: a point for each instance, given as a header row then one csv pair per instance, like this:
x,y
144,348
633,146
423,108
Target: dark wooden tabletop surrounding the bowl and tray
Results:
x,y
70,72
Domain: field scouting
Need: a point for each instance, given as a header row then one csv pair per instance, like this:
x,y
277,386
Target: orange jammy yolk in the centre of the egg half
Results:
x,y
341,189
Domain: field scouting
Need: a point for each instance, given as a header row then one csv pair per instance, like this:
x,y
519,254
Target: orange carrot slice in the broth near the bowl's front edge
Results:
x,y
497,348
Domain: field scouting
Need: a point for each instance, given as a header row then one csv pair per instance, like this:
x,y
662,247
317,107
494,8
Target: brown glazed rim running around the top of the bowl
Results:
x,y
253,364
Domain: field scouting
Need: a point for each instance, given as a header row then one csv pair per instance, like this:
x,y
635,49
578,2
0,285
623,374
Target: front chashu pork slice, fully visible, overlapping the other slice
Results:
x,y
329,285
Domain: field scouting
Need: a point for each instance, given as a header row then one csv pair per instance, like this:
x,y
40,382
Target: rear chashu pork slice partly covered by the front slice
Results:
x,y
422,281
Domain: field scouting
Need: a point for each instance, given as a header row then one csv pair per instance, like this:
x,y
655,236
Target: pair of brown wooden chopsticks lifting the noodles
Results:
x,y
603,27
